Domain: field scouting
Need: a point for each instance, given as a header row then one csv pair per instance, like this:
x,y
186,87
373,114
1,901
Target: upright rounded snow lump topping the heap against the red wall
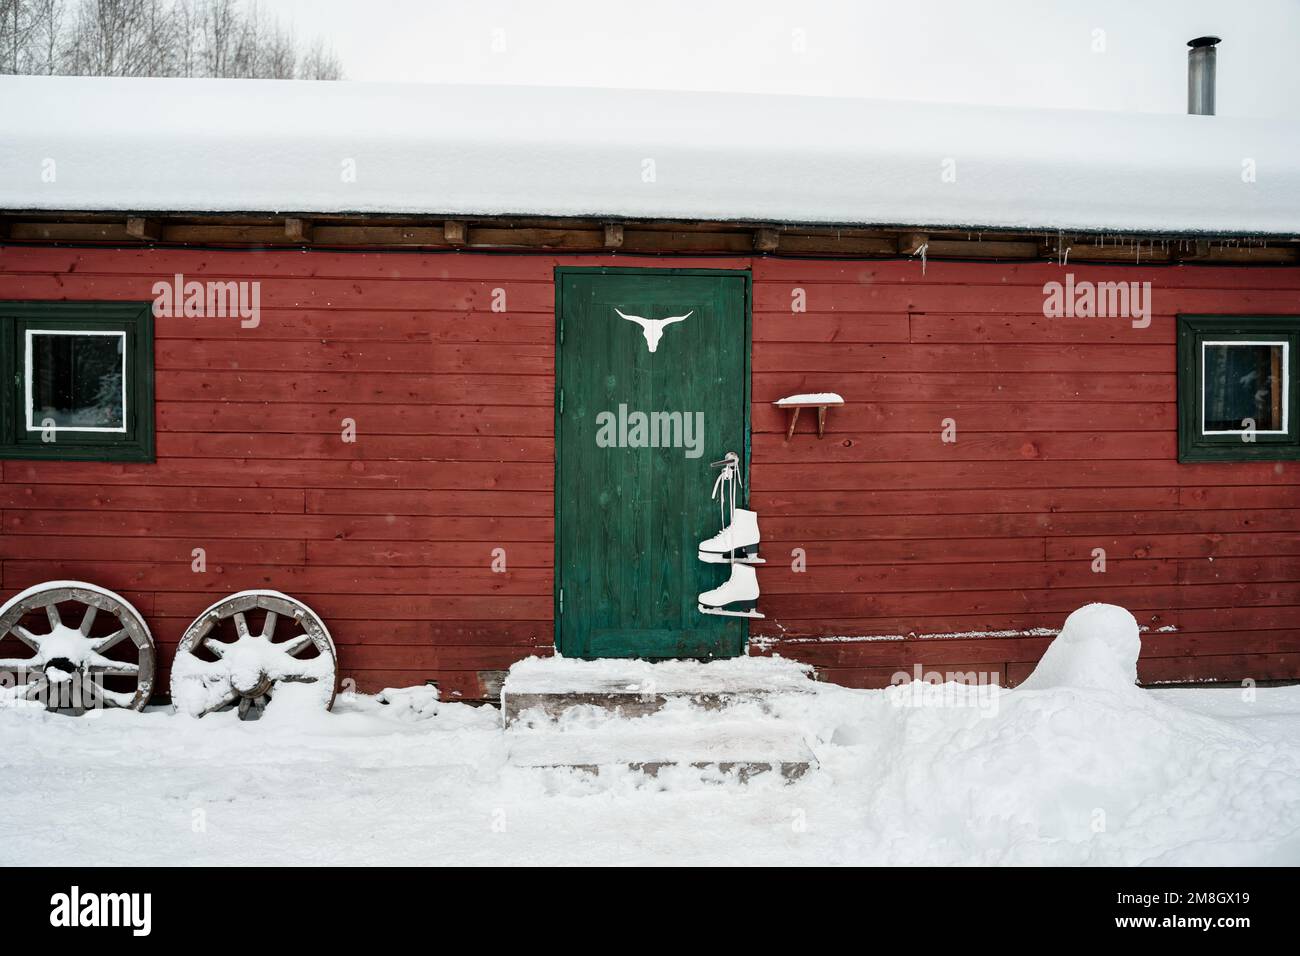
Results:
x,y
1098,648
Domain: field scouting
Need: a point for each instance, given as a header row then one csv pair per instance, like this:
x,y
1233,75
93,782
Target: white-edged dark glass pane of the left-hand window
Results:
x,y
76,380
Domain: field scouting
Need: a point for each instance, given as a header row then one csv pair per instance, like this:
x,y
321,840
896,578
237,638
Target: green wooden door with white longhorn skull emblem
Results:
x,y
643,408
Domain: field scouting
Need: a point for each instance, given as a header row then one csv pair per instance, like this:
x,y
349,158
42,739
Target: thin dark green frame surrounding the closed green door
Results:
x,y
748,321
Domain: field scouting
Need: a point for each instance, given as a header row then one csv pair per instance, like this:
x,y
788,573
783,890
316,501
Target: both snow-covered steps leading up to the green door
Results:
x,y
717,717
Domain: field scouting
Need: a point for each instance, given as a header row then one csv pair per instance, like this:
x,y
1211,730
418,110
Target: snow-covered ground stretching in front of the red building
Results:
x,y
1078,768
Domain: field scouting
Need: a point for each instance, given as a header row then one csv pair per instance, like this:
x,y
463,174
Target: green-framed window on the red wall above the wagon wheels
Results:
x,y
77,380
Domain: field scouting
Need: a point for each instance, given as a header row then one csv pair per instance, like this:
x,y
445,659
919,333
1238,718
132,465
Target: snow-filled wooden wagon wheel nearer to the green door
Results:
x,y
227,661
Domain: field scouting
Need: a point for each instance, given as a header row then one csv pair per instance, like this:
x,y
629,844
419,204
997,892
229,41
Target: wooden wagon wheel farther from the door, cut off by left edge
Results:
x,y
90,648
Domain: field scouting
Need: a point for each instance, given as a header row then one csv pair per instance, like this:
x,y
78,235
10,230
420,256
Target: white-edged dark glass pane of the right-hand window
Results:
x,y
1245,380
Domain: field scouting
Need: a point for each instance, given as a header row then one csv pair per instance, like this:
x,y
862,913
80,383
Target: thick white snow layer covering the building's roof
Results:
x,y
268,146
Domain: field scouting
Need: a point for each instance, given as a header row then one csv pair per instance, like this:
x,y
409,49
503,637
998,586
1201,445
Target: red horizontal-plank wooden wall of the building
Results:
x,y
1067,443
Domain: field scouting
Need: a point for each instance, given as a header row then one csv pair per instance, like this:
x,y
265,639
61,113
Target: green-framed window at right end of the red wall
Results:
x,y
1237,388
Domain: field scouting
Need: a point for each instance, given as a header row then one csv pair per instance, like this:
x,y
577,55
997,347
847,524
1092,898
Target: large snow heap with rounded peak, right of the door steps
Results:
x,y
1078,765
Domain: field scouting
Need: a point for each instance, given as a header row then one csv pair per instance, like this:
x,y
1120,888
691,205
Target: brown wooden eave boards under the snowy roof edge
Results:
x,y
431,233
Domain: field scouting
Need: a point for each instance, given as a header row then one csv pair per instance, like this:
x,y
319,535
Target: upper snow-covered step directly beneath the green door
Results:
x,y
638,689
